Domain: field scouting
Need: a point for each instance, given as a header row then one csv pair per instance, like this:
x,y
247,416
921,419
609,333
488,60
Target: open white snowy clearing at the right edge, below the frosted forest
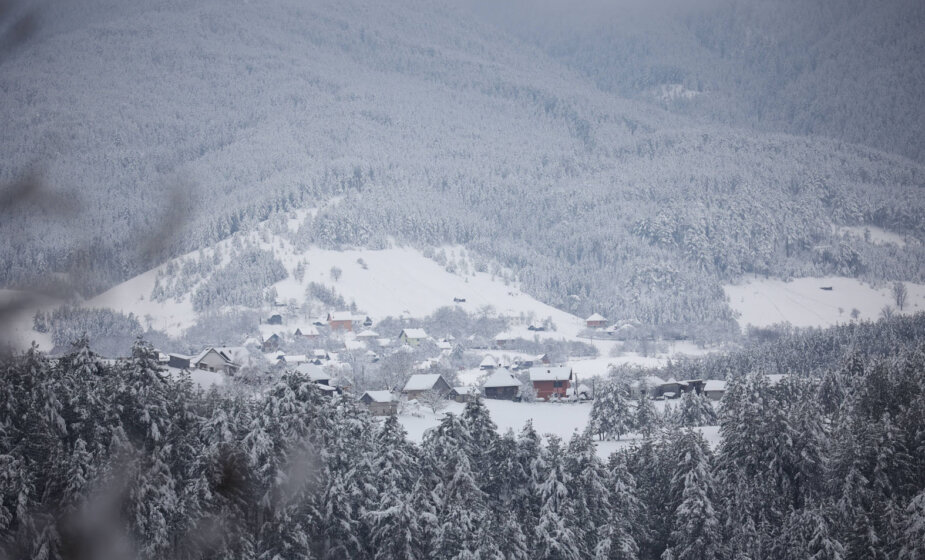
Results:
x,y
803,303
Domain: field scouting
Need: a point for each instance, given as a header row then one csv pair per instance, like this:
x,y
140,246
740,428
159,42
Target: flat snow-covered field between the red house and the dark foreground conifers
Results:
x,y
561,419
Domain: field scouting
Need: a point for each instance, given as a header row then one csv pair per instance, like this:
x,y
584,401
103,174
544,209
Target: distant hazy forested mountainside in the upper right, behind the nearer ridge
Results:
x,y
848,70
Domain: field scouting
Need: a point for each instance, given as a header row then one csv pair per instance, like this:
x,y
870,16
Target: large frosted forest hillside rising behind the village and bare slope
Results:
x,y
190,121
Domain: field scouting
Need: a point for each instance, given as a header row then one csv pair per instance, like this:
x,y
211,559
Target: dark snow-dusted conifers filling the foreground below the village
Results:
x,y
102,458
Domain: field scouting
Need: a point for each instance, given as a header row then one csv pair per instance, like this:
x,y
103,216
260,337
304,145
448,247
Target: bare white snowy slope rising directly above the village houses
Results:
x,y
397,282
